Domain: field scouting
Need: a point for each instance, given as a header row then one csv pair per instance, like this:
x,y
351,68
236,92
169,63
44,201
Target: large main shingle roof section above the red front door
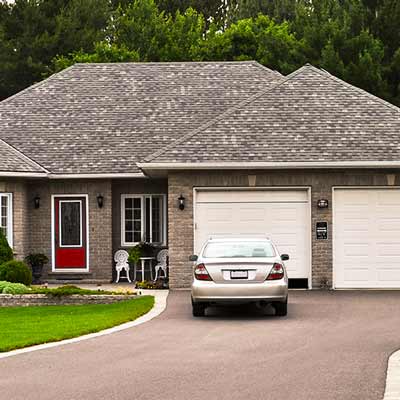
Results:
x,y
103,118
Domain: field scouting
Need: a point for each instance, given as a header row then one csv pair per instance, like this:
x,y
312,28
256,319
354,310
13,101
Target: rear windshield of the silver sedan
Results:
x,y
238,250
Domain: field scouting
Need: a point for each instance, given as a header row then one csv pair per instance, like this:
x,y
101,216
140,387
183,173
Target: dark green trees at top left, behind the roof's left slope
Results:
x,y
32,33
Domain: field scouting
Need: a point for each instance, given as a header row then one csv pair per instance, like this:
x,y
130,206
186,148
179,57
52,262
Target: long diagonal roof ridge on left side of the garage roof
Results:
x,y
224,114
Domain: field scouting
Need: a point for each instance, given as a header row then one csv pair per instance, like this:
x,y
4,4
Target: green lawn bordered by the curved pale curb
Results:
x,y
26,326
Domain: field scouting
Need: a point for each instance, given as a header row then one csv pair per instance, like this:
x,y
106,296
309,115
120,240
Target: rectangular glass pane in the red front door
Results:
x,y
70,221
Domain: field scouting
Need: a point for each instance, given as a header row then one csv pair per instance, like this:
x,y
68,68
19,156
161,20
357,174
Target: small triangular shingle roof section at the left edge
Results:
x,y
12,160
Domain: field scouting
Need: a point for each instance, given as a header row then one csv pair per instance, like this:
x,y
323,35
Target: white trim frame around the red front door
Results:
x,y
53,249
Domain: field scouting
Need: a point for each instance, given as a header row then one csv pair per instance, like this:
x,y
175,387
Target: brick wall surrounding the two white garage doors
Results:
x,y
180,227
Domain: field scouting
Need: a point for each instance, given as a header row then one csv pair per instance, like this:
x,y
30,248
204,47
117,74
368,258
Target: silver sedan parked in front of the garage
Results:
x,y
239,270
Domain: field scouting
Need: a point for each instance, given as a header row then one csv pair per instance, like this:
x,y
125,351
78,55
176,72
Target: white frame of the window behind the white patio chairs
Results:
x,y
142,198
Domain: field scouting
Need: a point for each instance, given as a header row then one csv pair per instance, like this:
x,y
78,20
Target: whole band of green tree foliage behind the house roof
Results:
x,y
356,40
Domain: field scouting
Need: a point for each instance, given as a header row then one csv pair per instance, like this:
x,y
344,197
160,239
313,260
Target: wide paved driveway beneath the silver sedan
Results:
x,y
332,345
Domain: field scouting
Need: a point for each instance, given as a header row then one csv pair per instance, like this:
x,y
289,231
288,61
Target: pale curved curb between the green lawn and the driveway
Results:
x,y
160,303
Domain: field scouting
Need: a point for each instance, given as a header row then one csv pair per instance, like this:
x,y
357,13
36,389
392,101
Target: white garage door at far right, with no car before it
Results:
x,y
367,238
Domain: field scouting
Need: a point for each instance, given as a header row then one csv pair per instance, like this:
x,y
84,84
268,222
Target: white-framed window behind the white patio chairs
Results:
x,y
143,219
